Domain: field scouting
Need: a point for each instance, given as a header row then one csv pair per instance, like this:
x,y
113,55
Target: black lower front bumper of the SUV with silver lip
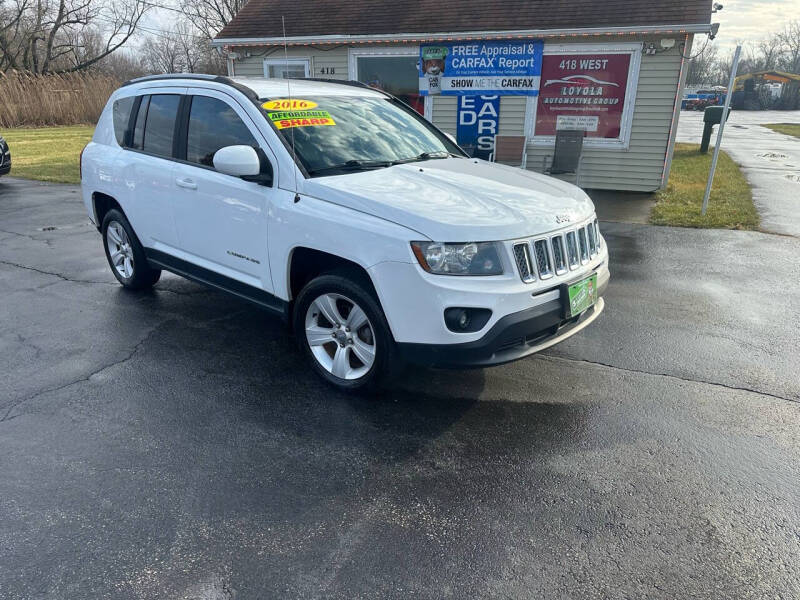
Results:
x,y
512,337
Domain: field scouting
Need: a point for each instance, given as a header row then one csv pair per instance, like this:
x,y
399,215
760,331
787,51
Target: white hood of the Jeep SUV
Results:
x,y
458,199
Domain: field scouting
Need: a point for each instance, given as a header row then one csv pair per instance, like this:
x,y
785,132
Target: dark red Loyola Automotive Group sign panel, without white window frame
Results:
x,y
583,91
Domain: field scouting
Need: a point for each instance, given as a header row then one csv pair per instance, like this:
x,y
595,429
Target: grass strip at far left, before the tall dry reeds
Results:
x,y
47,153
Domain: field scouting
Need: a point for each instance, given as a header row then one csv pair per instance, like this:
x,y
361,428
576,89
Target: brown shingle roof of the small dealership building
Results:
x,y
262,18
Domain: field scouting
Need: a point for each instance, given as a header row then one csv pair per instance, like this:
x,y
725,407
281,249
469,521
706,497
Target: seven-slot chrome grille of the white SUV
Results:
x,y
558,255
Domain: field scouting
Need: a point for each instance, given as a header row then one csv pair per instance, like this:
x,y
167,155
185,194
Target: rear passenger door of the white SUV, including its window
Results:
x,y
147,167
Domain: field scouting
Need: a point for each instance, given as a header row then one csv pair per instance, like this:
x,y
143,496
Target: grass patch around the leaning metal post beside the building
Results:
x,y
730,205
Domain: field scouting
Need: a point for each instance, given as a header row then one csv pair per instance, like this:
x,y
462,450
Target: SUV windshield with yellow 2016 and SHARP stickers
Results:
x,y
335,134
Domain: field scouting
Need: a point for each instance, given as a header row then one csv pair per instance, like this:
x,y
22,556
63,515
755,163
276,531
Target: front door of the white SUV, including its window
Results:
x,y
221,220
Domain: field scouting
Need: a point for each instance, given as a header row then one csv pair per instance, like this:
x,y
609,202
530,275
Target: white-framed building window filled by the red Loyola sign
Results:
x,y
590,87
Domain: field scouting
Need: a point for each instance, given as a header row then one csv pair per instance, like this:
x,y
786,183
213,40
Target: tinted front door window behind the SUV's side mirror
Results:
x,y
213,125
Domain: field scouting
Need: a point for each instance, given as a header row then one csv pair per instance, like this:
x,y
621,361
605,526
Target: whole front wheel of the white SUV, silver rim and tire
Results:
x,y
341,328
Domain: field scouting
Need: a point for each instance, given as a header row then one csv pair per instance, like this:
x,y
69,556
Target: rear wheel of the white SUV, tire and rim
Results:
x,y
125,254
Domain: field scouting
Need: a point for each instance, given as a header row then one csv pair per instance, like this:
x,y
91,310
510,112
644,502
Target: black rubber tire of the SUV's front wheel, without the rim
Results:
x,y
352,286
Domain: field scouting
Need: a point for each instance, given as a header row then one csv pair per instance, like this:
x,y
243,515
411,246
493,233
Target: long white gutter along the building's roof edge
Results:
x,y
460,35
